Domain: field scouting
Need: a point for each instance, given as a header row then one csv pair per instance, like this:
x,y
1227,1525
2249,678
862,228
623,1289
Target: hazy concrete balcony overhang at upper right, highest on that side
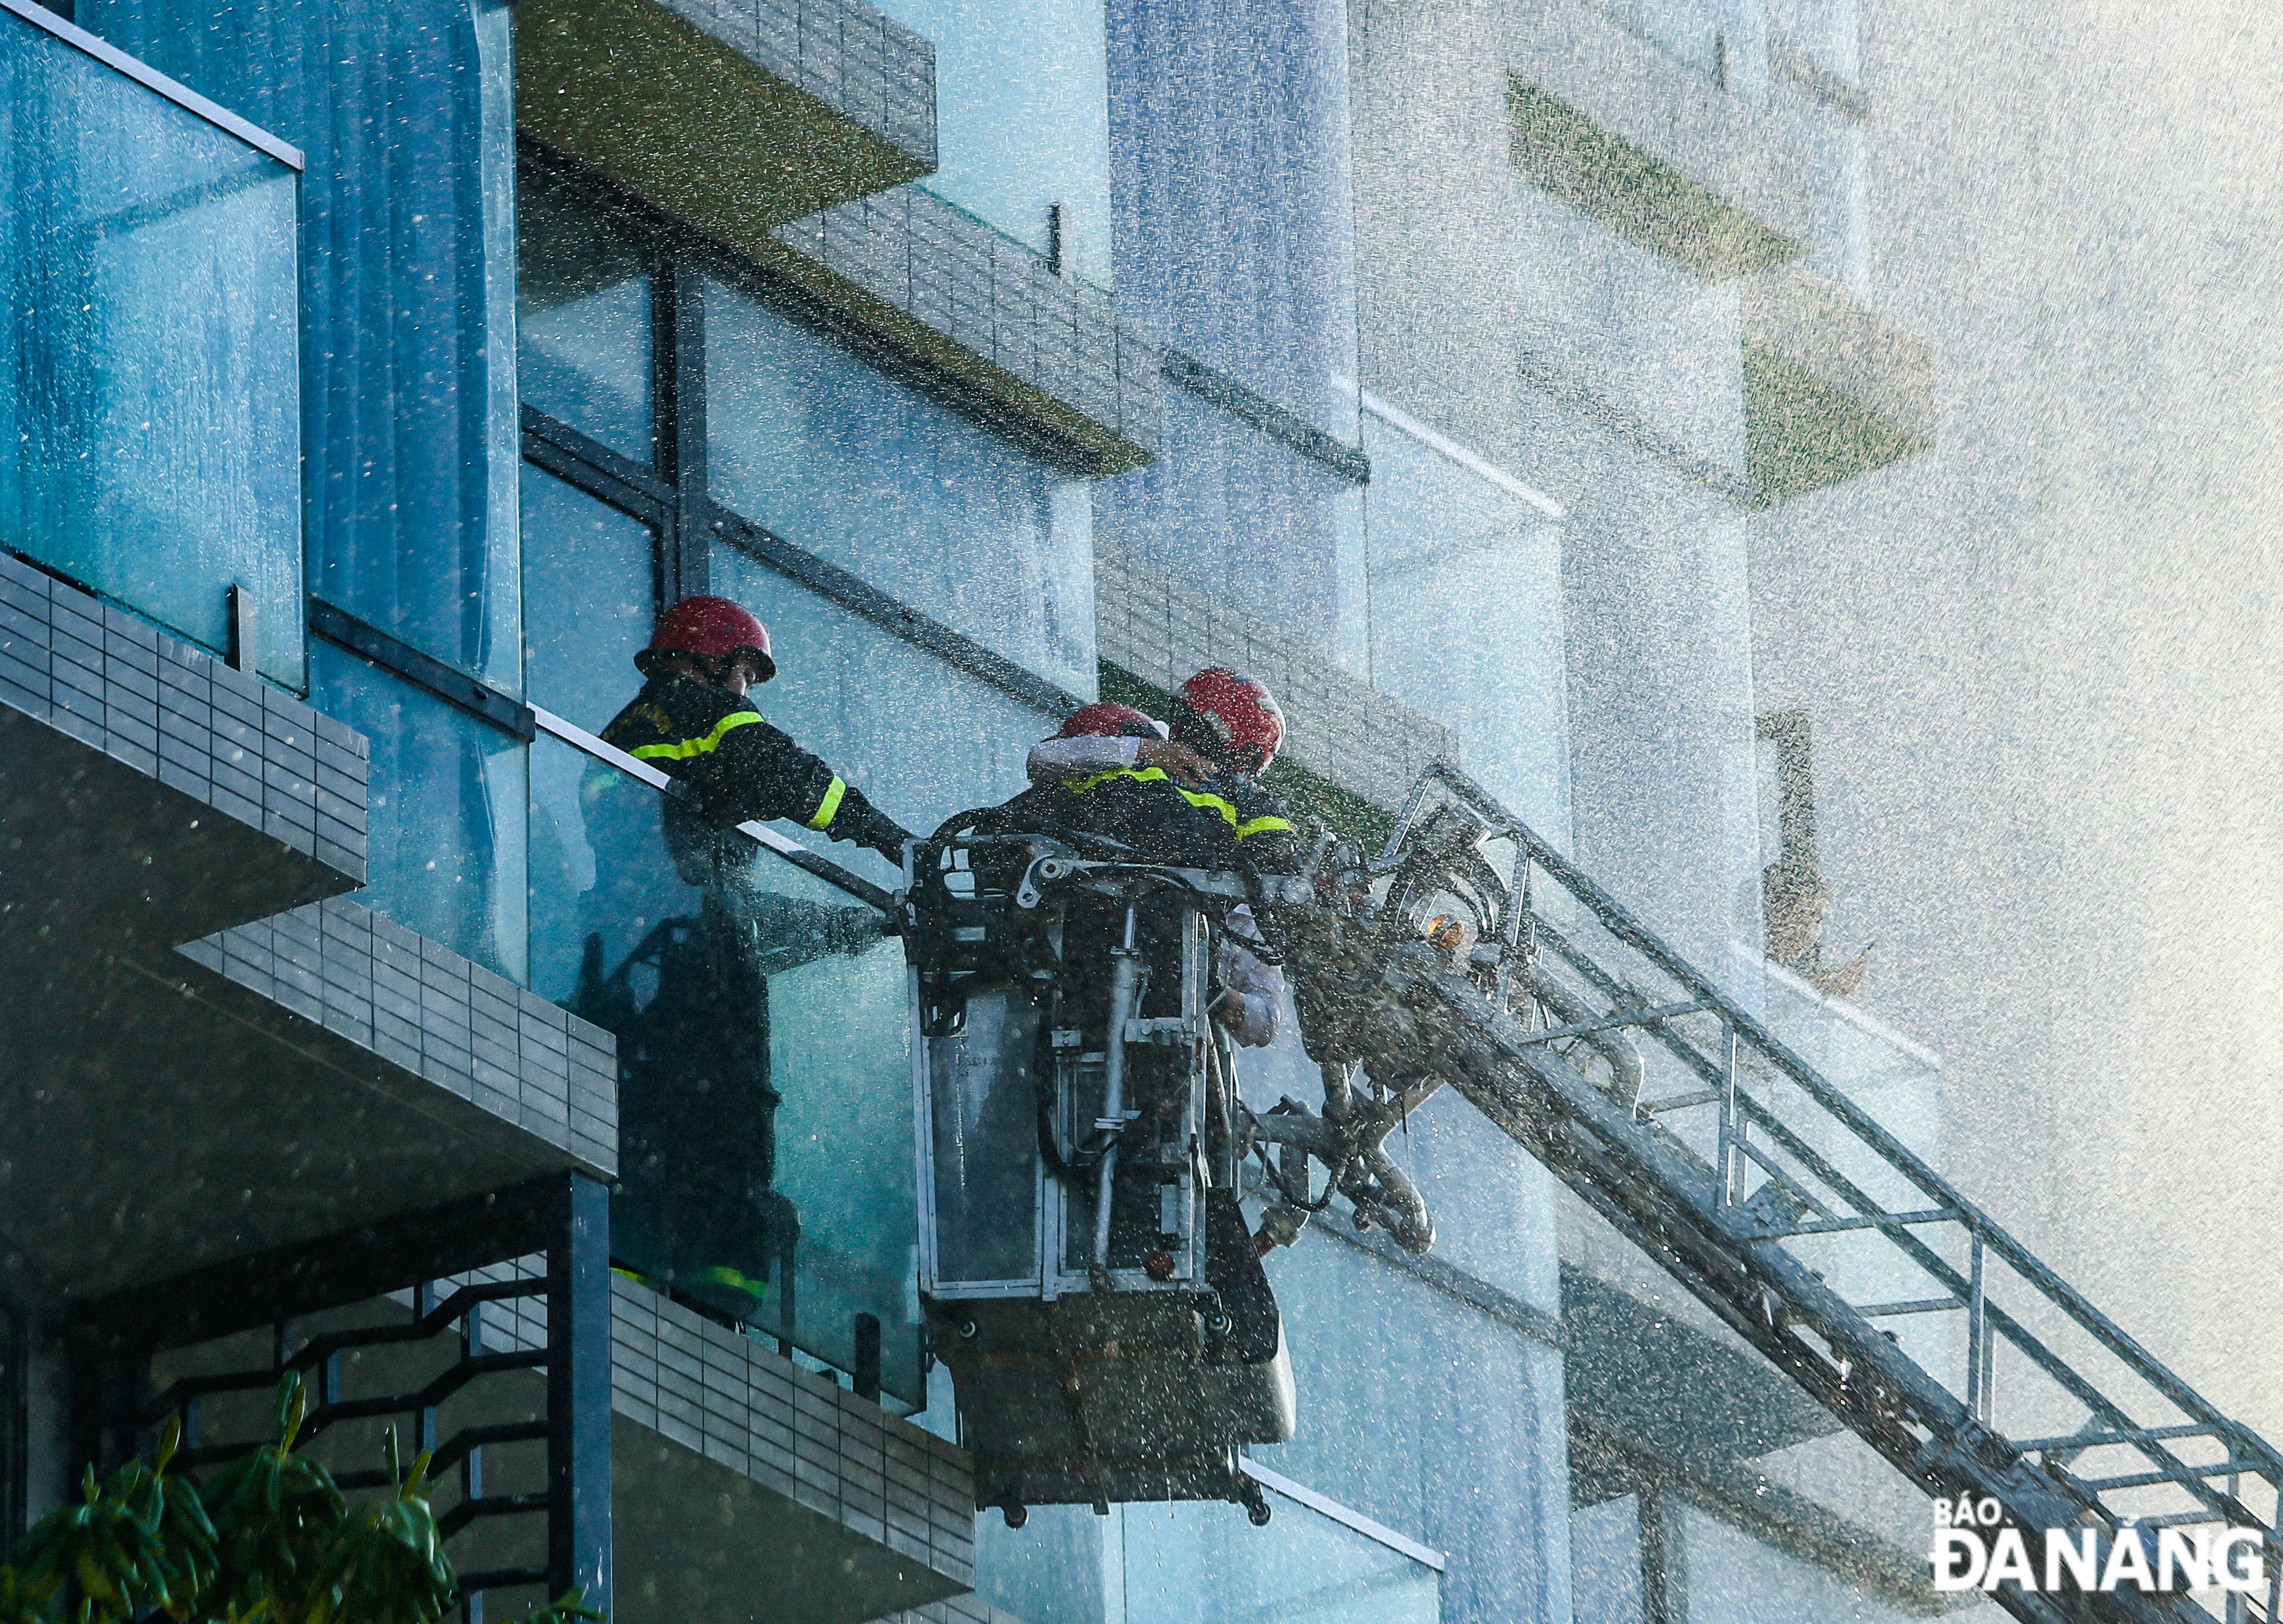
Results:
x,y
1656,154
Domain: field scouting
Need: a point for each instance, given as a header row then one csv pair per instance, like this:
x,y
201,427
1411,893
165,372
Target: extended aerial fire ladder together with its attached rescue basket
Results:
x,y
1469,954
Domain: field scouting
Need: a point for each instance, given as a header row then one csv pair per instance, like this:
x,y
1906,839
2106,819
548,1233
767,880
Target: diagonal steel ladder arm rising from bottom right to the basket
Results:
x,y
1786,1168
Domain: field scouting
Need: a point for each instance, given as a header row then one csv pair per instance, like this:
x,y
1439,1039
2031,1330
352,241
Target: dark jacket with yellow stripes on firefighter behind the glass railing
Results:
x,y
741,766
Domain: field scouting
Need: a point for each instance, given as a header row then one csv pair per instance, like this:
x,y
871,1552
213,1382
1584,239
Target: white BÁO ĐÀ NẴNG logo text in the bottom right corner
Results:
x,y
1974,1552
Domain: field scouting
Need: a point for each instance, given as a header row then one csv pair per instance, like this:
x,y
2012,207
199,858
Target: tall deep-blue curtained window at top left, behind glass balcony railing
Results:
x,y
408,296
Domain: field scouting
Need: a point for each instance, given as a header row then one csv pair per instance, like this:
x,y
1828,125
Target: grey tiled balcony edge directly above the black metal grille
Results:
x,y
435,1015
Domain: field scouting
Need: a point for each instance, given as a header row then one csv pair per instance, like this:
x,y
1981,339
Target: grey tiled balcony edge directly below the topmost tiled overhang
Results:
x,y
994,298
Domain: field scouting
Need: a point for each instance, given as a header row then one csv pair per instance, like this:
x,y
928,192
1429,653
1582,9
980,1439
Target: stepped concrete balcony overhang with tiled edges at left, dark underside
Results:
x,y
207,1050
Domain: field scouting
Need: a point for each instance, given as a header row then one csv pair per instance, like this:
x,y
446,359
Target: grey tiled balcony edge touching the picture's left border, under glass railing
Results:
x,y
181,716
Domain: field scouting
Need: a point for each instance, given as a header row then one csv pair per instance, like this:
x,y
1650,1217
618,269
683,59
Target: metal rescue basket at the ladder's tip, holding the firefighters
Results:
x,y
1086,1267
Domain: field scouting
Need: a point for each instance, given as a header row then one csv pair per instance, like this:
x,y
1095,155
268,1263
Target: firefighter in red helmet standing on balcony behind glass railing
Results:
x,y
697,1114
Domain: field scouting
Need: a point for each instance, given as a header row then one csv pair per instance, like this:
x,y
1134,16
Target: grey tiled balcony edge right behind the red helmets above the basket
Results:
x,y
1339,727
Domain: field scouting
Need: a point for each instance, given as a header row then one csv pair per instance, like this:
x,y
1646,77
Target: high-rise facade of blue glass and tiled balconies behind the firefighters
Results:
x,y
1494,380
